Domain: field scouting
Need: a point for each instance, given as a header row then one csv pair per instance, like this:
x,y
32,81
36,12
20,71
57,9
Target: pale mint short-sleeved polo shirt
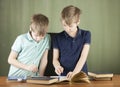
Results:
x,y
29,52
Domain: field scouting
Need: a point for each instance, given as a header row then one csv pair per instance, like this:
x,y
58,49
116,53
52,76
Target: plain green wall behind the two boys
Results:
x,y
101,17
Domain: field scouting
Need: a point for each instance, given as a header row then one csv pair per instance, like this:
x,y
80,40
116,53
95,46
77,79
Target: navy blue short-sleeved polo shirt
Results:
x,y
70,48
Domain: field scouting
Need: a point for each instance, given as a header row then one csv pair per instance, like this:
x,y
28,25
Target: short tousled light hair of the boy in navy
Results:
x,y
70,14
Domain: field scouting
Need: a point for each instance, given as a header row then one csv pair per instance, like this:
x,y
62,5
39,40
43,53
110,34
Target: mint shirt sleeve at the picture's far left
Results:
x,y
17,45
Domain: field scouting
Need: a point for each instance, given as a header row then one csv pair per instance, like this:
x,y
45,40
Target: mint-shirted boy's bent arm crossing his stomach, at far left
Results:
x,y
12,59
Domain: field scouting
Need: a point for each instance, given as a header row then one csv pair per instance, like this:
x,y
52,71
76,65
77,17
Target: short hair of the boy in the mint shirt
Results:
x,y
39,23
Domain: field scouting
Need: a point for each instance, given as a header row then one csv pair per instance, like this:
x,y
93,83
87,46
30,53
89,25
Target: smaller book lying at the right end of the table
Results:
x,y
100,76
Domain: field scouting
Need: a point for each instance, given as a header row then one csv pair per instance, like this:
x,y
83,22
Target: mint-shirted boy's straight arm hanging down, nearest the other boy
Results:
x,y
43,63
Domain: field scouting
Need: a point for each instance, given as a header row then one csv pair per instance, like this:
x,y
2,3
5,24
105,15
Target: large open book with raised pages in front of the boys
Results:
x,y
79,77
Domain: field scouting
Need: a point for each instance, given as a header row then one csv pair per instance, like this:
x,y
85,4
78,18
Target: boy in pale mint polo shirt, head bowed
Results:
x,y
28,56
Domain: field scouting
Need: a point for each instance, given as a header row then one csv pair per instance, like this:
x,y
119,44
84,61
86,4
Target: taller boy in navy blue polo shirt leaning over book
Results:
x,y
71,47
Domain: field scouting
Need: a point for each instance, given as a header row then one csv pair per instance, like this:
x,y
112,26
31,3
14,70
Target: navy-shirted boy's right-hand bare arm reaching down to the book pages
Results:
x,y
81,60
